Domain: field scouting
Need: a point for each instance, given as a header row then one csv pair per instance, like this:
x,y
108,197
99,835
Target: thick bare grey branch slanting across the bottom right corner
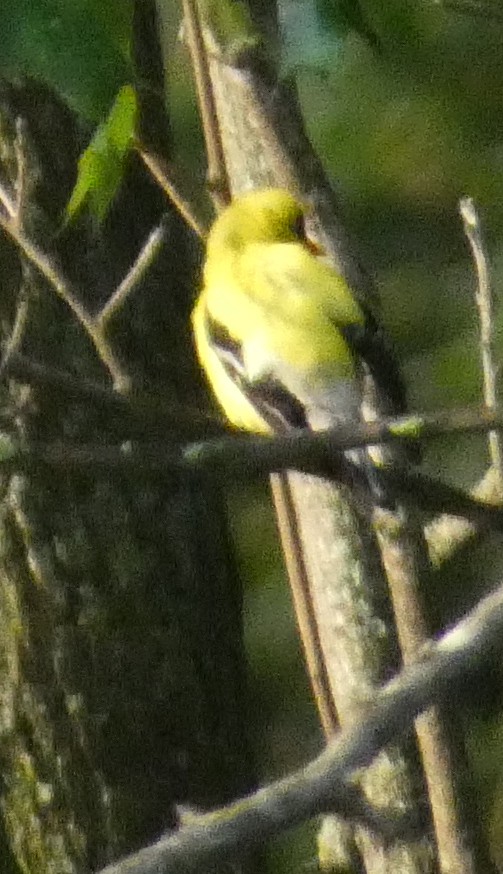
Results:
x,y
228,832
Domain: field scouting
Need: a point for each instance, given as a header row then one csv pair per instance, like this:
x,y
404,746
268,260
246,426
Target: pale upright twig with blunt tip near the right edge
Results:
x,y
484,301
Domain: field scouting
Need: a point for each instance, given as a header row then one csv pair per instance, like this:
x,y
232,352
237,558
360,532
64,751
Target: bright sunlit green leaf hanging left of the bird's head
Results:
x,y
101,166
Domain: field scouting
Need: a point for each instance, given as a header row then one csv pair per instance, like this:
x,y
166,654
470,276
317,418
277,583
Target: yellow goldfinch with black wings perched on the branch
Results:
x,y
283,340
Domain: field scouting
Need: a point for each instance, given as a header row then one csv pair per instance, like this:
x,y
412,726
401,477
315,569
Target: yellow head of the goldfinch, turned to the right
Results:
x,y
268,215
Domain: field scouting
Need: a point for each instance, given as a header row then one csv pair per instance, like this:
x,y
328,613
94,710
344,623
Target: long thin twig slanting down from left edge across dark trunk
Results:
x,y
64,290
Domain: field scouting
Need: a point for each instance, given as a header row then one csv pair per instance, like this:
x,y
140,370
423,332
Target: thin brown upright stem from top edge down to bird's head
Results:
x,y
217,173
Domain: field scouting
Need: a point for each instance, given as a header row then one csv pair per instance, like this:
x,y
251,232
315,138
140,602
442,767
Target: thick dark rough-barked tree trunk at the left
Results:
x,y
121,675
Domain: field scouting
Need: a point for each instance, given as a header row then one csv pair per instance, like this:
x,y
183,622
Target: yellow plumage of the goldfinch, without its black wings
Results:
x,y
283,308
